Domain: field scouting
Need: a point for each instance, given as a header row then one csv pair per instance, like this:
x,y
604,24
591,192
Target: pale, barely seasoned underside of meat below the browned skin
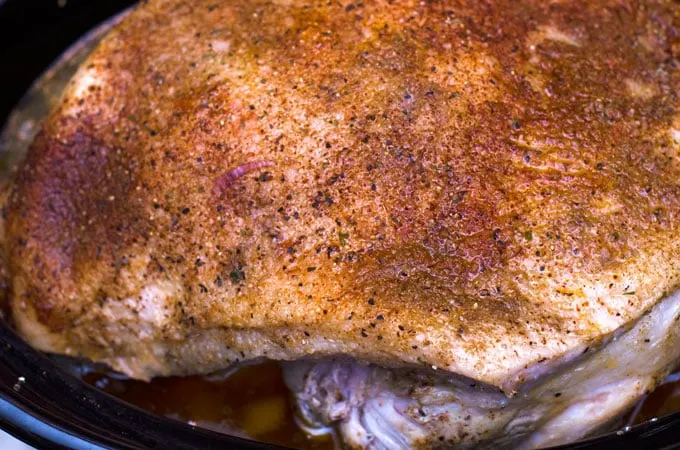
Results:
x,y
387,409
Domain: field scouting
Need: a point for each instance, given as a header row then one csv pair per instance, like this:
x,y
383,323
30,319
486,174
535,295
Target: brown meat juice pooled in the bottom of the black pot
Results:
x,y
254,402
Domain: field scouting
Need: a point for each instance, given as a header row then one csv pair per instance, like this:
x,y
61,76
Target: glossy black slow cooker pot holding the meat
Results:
x,y
47,407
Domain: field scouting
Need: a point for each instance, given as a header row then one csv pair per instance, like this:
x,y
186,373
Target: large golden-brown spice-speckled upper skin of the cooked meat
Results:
x,y
478,187
